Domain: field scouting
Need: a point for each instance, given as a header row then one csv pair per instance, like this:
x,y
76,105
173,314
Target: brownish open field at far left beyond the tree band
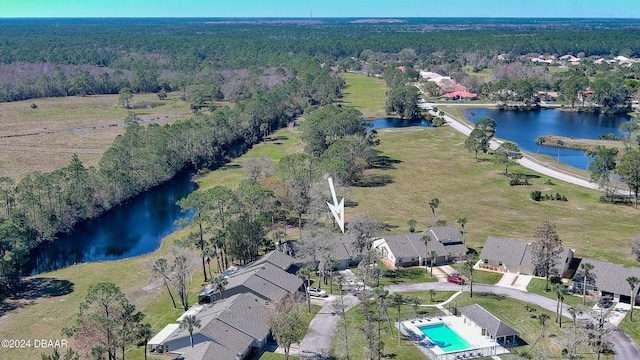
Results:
x,y
59,128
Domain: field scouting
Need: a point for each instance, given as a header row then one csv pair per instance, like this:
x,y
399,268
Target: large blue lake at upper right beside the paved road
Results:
x,y
524,127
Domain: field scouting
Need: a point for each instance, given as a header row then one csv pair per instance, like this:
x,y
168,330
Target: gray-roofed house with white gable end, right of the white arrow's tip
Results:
x,y
409,249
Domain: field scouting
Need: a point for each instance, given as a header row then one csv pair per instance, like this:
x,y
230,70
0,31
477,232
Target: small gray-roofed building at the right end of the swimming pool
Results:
x,y
477,317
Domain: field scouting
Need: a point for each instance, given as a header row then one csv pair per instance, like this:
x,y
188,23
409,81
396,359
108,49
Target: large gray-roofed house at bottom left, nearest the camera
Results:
x,y
229,329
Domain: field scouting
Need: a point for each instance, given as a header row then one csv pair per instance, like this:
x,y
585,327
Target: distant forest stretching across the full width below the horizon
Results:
x,y
58,57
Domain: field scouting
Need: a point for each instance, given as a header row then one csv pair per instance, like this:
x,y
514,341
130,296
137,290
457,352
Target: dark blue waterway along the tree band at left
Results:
x,y
134,228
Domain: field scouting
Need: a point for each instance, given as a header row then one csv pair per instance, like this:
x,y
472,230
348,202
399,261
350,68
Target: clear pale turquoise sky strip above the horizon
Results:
x,y
321,8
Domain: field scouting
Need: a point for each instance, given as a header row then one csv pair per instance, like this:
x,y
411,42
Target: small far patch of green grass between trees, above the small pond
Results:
x,y
365,93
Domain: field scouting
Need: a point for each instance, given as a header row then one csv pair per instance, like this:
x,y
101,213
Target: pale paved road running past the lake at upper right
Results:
x,y
526,161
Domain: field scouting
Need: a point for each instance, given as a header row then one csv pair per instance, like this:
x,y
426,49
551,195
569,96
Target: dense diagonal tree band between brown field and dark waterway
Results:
x,y
42,205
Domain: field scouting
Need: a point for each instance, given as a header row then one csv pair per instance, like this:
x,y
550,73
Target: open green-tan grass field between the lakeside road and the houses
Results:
x,y
430,163
